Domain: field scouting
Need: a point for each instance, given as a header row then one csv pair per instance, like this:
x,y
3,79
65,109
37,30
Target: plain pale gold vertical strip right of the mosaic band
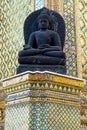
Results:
x,y
78,34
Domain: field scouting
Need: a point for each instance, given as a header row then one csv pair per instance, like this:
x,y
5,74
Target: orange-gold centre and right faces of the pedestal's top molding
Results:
x,y
56,79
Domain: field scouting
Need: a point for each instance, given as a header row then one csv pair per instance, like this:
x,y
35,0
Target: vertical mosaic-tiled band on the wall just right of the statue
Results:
x,y
70,45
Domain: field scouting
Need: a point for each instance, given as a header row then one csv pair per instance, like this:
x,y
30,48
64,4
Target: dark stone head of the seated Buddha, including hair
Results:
x,y
43,21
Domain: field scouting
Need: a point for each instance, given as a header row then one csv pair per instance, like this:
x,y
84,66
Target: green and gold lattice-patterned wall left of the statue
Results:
x,y
13,14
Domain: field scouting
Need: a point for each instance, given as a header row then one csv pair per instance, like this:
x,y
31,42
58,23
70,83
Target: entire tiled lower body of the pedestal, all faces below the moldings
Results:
x,y
43,116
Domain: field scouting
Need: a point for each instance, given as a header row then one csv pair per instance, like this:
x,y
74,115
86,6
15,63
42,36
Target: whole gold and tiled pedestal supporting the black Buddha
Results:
x,y
42,101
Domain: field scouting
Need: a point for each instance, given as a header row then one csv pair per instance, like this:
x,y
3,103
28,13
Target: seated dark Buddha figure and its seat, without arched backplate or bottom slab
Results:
x,y
44,45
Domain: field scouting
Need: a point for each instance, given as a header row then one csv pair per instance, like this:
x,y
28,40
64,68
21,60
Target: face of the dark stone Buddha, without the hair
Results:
x,y
43,23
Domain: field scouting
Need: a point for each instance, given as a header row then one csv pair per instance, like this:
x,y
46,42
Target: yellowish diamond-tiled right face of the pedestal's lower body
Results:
x,y
66,118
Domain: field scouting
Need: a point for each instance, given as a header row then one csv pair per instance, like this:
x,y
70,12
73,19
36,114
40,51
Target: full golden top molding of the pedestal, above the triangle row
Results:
x,y
43,77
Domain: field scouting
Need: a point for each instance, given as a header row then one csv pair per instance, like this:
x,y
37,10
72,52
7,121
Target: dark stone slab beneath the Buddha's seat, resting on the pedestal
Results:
x,y
53,68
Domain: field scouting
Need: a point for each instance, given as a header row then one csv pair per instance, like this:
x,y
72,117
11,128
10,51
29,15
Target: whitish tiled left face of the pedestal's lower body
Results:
x,y
17,117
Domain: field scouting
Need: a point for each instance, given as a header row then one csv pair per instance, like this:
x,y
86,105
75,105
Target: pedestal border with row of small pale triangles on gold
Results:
x,y
39,86
